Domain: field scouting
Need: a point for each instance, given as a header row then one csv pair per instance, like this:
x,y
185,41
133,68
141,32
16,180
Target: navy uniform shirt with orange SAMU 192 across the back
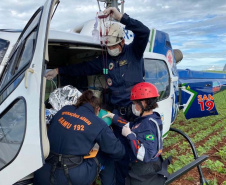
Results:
x,y
75,131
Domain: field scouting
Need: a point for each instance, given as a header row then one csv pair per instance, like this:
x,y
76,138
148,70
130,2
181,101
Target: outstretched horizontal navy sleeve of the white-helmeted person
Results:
x,y
86,68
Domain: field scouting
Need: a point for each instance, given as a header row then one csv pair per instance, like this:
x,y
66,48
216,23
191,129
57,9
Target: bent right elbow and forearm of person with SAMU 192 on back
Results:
x,y
110,144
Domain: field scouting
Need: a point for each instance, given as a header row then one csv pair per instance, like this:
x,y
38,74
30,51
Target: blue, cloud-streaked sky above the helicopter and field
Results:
x,y
196,27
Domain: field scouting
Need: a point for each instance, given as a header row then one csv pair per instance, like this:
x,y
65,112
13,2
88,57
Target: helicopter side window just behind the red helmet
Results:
x,y
156,72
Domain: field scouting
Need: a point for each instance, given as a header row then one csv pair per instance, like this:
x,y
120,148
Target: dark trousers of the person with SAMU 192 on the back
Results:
x,y
84,174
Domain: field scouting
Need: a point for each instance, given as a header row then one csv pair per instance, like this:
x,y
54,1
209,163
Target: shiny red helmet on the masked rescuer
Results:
x,y
143,90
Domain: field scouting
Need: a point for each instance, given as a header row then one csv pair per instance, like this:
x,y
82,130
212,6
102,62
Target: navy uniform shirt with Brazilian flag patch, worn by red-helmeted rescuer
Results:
x,y
145,141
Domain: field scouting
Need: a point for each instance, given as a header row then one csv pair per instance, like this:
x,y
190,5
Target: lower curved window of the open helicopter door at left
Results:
x,y
12,129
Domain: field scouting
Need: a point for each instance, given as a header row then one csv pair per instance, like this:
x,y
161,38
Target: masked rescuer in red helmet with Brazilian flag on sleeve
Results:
x,y
144,136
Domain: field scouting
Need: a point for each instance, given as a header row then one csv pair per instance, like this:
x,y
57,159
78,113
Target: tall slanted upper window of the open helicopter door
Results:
x,y
21,58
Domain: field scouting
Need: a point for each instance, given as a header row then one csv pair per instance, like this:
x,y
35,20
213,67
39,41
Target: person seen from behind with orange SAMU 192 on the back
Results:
x,y
73,132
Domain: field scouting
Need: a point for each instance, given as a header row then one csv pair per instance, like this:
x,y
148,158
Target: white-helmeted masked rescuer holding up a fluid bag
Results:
x,y
125,66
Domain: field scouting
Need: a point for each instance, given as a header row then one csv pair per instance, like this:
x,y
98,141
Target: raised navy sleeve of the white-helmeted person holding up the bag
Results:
x,y
141,34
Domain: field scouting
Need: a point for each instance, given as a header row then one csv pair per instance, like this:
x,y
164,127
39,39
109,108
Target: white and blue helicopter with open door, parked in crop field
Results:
x,y
28,54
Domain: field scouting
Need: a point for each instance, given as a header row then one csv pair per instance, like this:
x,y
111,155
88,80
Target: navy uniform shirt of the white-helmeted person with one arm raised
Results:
x,y
125,70
